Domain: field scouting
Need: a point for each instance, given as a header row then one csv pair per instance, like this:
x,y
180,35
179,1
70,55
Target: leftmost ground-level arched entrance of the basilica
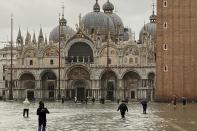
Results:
x,y
27,82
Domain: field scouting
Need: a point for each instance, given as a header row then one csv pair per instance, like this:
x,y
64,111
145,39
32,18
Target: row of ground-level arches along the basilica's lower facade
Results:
x,y
78,83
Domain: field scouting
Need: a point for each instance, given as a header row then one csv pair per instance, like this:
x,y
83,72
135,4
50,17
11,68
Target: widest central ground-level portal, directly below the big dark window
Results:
x,y
78,79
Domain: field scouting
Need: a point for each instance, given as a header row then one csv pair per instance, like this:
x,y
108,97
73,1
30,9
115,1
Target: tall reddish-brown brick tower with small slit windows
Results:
x,y
176,49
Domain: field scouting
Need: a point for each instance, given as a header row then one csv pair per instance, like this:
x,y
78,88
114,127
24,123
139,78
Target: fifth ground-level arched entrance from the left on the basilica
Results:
x,y
131,79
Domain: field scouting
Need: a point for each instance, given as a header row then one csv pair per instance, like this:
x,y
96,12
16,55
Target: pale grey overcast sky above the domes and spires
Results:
x,y
33,13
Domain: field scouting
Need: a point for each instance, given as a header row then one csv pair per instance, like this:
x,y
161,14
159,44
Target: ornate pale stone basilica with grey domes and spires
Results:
x,y
99,59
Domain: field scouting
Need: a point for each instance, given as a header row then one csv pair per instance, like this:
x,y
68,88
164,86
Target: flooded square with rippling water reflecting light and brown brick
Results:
x,y
97,117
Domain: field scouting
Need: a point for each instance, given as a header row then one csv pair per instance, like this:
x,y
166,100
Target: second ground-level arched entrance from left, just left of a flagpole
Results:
x,y
49,83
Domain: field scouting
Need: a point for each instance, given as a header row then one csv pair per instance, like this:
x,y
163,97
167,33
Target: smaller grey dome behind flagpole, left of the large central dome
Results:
x,y
54,35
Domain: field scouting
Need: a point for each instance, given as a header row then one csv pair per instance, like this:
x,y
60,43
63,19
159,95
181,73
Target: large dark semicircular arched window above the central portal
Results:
x,y
80,52
